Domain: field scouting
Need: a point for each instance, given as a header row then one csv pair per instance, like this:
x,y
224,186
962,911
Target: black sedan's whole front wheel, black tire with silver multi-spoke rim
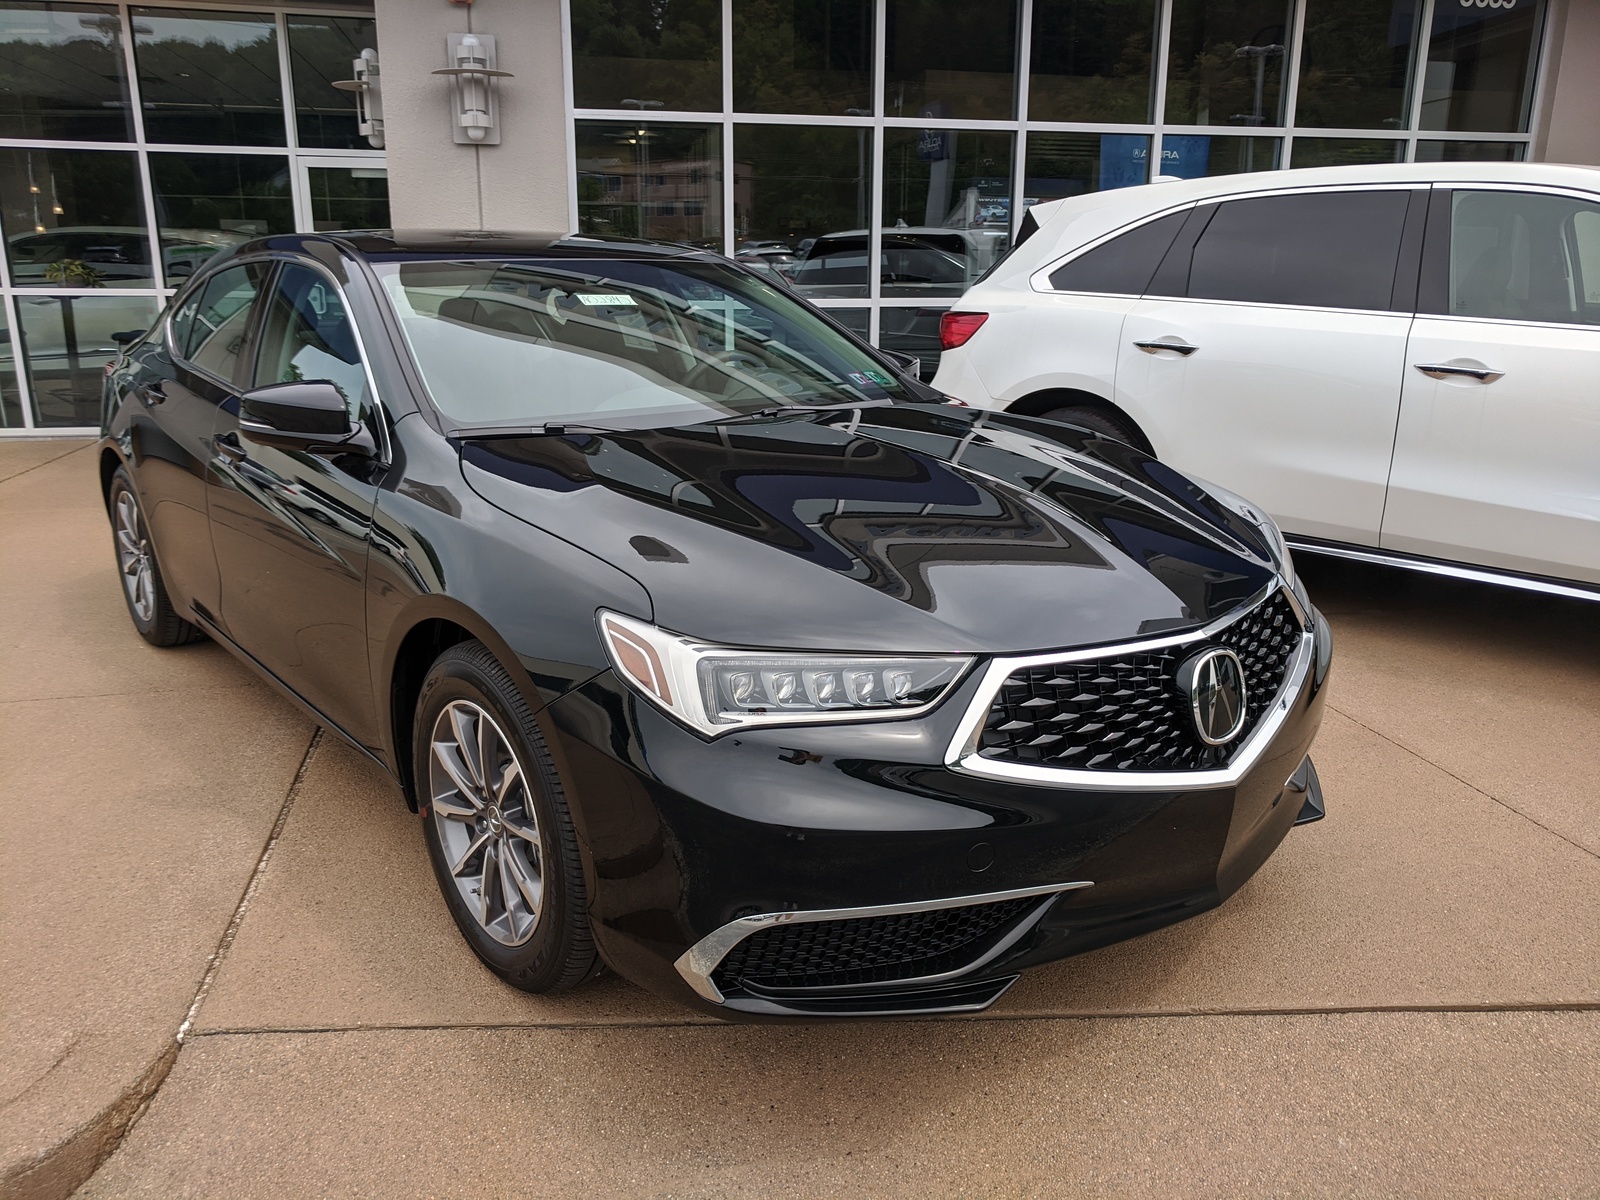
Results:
x,y
559,953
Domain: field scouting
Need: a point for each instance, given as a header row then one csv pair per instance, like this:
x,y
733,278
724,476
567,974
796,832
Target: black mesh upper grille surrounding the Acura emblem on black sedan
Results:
x,y
1124,713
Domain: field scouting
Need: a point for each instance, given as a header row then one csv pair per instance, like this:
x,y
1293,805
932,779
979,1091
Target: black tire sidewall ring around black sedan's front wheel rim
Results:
x,y
537,964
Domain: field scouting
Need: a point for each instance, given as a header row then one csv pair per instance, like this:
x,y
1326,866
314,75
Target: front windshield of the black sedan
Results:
x,y
530,343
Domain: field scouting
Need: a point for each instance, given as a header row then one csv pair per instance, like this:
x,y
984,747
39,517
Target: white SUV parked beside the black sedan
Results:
x,y
1399,364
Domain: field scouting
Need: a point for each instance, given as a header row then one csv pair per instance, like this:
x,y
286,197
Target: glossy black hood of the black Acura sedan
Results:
x,y
895,529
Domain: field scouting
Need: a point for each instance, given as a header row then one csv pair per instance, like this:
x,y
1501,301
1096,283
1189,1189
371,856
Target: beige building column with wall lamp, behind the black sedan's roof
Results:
x,y
434,183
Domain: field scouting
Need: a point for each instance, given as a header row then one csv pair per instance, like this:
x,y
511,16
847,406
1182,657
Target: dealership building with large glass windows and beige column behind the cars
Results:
x,y
806,137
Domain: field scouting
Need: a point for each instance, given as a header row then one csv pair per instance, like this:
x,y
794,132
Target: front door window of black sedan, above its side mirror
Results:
x,y
310,338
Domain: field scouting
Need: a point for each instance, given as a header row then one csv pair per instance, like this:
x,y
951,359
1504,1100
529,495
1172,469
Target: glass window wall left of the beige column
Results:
x,y
137,142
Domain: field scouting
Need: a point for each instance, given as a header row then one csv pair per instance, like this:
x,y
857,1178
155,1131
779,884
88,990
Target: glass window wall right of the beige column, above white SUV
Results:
x,y
879,154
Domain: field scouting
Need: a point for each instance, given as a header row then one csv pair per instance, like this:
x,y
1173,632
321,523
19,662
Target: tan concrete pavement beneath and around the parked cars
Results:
x,y
1402,1002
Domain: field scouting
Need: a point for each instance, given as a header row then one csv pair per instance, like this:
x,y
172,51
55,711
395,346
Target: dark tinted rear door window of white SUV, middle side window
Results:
x,y
1329,250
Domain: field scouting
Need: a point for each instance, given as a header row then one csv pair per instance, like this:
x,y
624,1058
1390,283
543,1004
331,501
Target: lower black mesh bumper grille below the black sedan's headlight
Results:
x,y
870,950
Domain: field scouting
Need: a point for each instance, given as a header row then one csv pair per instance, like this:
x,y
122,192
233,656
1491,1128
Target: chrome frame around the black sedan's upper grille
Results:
x,y
962,754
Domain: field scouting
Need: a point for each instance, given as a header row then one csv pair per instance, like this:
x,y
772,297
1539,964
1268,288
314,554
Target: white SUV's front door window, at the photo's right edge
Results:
x,y
1526,257
